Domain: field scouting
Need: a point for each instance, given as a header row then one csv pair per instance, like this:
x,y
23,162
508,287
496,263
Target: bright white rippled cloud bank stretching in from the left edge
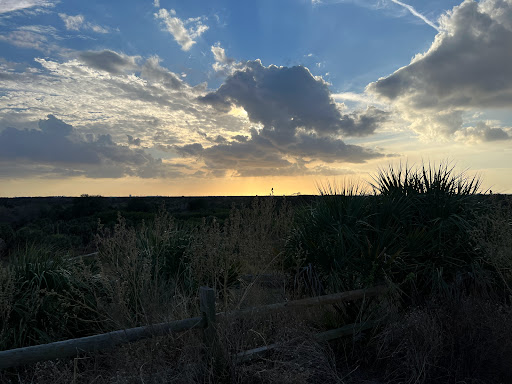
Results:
x,y
148,104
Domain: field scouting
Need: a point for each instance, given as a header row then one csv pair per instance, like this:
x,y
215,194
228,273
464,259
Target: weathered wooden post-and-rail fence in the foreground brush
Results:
x,y
207,322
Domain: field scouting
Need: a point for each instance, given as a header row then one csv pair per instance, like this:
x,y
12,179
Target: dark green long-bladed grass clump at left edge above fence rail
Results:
x,y
32,290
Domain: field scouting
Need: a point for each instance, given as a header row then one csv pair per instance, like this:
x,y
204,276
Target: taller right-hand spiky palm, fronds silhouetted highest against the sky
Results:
x,y
438,246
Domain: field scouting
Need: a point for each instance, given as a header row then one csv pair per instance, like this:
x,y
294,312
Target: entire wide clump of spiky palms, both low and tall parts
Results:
x,y
414,230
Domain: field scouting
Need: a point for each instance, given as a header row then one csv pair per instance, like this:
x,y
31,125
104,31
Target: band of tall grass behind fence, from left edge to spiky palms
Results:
x,y
141,275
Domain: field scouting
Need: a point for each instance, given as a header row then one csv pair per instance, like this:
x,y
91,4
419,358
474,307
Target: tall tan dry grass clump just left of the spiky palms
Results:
x,y
249,241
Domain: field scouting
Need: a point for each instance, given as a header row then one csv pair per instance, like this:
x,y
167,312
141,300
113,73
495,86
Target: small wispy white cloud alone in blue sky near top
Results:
x,y
184,32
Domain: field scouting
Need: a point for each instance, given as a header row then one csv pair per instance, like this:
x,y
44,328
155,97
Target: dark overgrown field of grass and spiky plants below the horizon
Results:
x,y
441,245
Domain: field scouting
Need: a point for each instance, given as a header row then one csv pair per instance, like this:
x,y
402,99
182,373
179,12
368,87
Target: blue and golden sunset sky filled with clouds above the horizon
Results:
x,y
220,97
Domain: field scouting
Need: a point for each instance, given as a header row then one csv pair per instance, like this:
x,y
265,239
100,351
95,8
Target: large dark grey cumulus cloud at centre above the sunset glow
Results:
x,y
299,122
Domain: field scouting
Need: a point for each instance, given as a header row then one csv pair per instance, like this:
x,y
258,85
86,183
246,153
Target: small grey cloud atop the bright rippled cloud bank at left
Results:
x,y
109,61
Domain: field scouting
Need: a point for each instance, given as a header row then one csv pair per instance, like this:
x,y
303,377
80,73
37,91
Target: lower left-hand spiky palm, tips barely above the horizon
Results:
x,y
340,235
